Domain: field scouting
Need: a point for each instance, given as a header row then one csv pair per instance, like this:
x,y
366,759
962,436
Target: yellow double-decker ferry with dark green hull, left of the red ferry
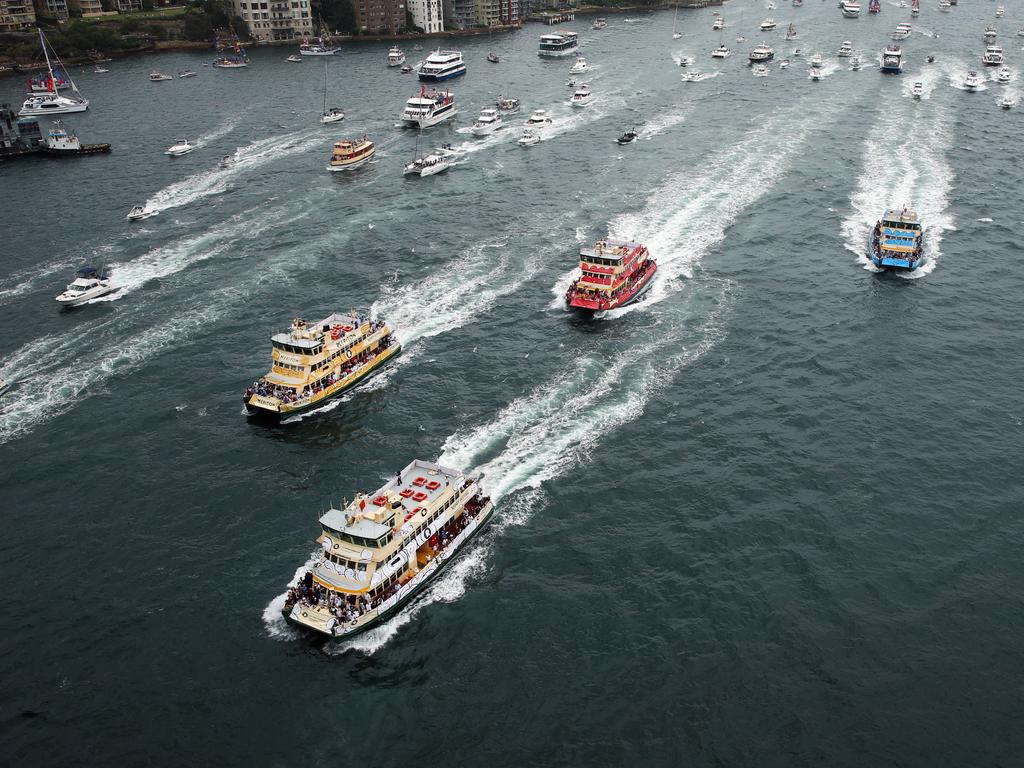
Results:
x,y
314,363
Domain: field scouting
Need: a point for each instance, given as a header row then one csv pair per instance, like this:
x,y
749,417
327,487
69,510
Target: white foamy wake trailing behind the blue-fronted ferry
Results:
x,y
905,168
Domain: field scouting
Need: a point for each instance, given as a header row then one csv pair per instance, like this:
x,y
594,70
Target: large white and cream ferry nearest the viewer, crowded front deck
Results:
x,y
385,548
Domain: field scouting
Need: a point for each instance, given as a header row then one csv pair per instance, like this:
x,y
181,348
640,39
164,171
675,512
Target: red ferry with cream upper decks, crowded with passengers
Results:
x,y
615,274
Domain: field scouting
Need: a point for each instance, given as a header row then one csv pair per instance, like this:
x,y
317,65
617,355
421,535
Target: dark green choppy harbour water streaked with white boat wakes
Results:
x,y
769,517
